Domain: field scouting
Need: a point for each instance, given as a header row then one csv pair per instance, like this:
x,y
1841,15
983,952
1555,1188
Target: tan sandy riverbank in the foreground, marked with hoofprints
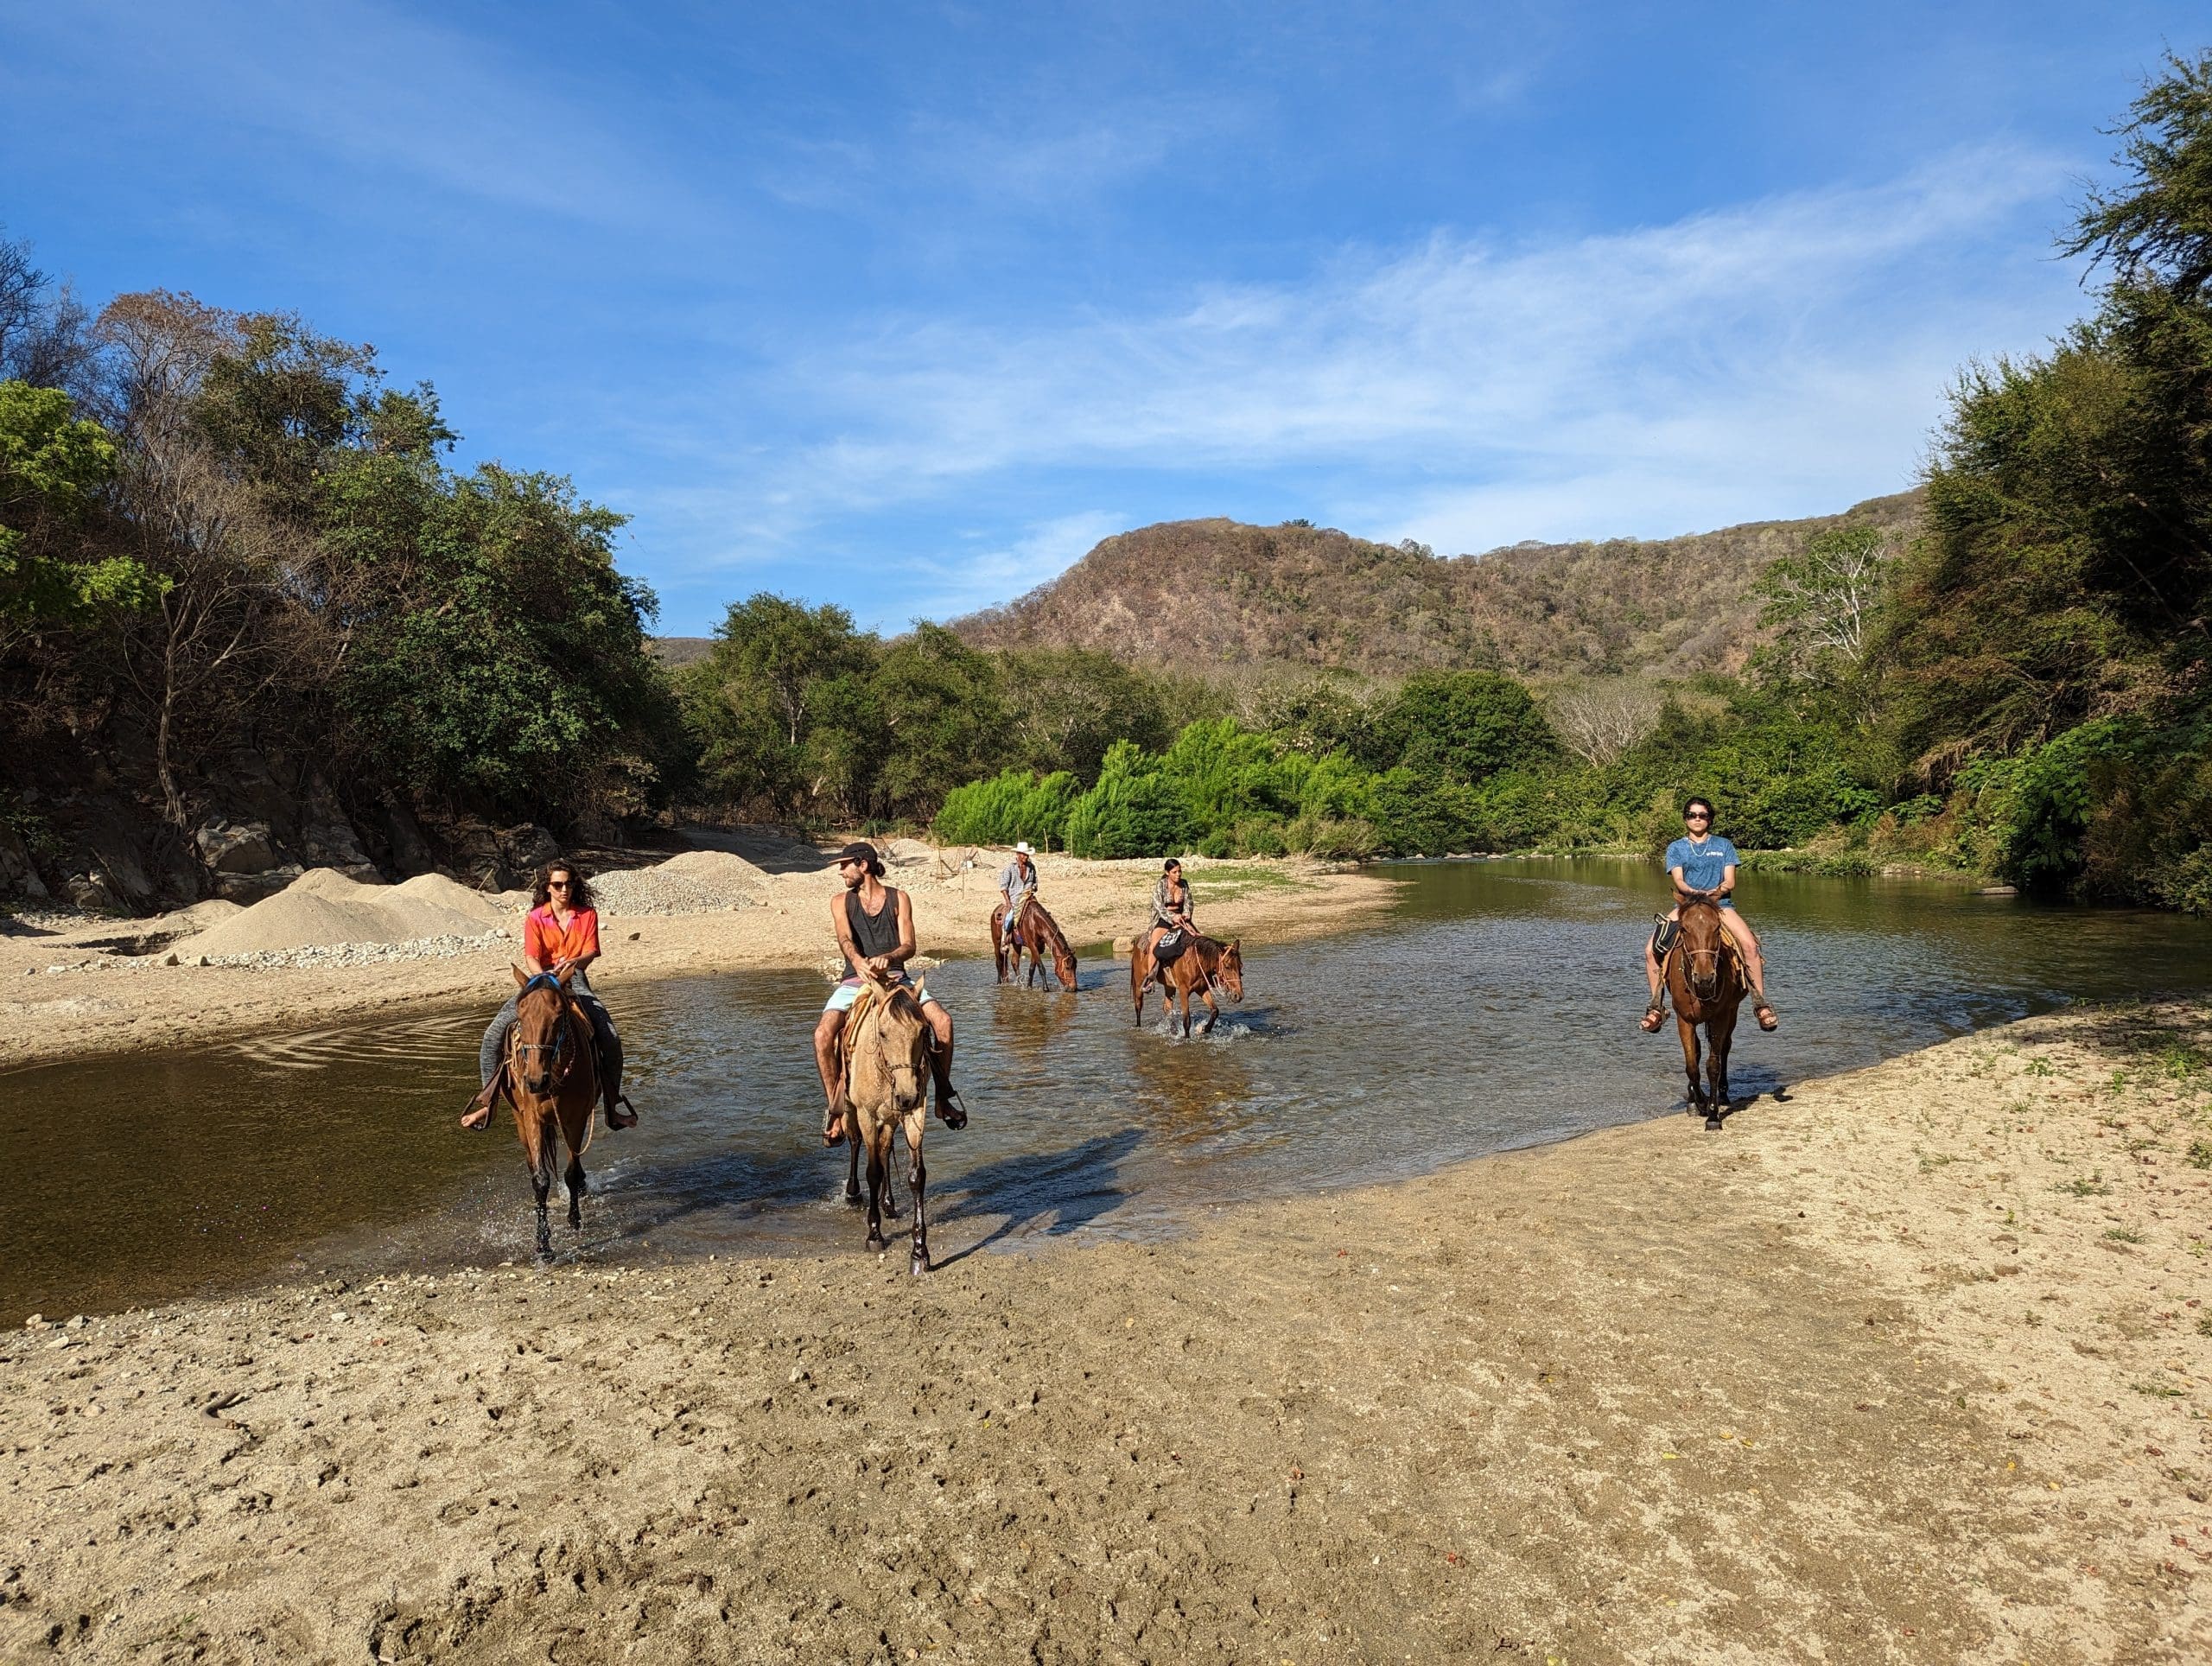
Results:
x,y
1903,1368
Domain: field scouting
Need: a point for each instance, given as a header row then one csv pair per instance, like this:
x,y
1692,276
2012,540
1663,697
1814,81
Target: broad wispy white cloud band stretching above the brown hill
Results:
x,y
1463,391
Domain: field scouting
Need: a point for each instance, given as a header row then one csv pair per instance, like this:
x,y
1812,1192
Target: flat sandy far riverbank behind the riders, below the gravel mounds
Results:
x,y
96,1006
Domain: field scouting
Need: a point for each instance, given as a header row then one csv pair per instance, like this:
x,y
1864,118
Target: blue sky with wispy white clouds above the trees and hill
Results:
x,y
906,306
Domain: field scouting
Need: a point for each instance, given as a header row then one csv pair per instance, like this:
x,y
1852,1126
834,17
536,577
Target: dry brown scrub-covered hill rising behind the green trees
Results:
x,y
1211,594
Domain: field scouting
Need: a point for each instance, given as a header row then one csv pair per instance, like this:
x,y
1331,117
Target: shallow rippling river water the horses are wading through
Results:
x,y
1494,1008
